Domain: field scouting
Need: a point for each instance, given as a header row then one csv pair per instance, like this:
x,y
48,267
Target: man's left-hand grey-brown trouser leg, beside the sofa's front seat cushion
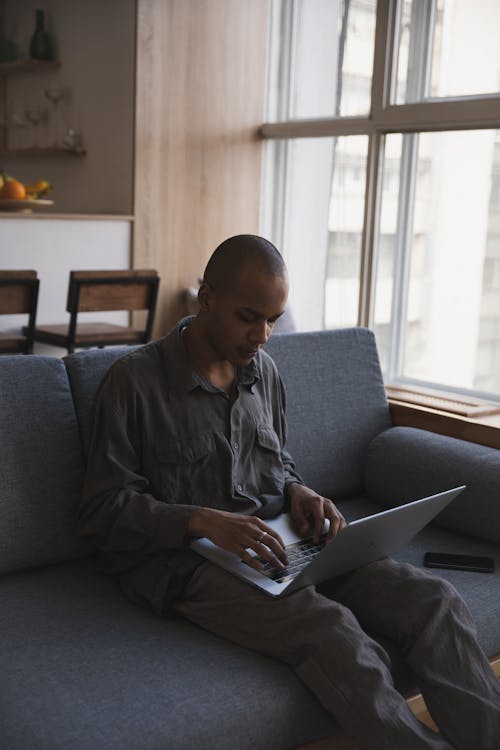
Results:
x,y
325,645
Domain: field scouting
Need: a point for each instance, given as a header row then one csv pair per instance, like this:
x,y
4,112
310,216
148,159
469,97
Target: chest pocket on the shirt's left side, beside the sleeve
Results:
x,y
185,468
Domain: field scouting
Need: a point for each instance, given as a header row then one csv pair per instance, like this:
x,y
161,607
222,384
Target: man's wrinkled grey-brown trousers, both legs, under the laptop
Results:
x,y
321,636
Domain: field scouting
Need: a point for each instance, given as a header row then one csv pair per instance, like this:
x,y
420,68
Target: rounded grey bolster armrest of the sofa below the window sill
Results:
x,y
404,464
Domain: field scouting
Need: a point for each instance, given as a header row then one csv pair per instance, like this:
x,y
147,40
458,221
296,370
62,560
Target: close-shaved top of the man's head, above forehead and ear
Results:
x,y
237,253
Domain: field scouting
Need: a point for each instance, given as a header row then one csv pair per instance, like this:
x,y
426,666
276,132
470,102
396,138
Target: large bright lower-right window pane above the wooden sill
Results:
x,y
444,259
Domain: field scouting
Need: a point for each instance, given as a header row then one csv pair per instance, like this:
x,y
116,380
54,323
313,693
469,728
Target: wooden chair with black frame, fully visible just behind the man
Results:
x,y
99,291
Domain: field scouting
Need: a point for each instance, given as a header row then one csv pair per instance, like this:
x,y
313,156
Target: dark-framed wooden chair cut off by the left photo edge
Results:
x,y
18,295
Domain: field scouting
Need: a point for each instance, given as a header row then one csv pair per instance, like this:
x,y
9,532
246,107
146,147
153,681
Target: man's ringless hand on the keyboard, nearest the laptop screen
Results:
x,y
309,510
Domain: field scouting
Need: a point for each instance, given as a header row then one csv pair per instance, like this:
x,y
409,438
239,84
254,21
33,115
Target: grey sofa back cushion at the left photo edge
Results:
x,y
42,468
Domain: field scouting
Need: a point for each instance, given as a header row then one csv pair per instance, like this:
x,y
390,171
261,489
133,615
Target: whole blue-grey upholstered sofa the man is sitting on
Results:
x,y
83,669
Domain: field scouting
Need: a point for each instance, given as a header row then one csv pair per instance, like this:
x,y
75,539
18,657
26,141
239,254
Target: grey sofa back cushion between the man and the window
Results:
x,y
336,403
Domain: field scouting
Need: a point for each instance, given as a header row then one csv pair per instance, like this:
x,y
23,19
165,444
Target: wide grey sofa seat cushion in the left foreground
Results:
x,y
81,668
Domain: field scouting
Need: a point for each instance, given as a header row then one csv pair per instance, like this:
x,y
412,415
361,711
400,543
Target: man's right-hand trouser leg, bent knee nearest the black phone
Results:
x,y
427,618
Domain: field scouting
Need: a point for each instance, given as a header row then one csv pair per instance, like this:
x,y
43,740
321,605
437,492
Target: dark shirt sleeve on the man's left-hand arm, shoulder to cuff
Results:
x,y
118,510
